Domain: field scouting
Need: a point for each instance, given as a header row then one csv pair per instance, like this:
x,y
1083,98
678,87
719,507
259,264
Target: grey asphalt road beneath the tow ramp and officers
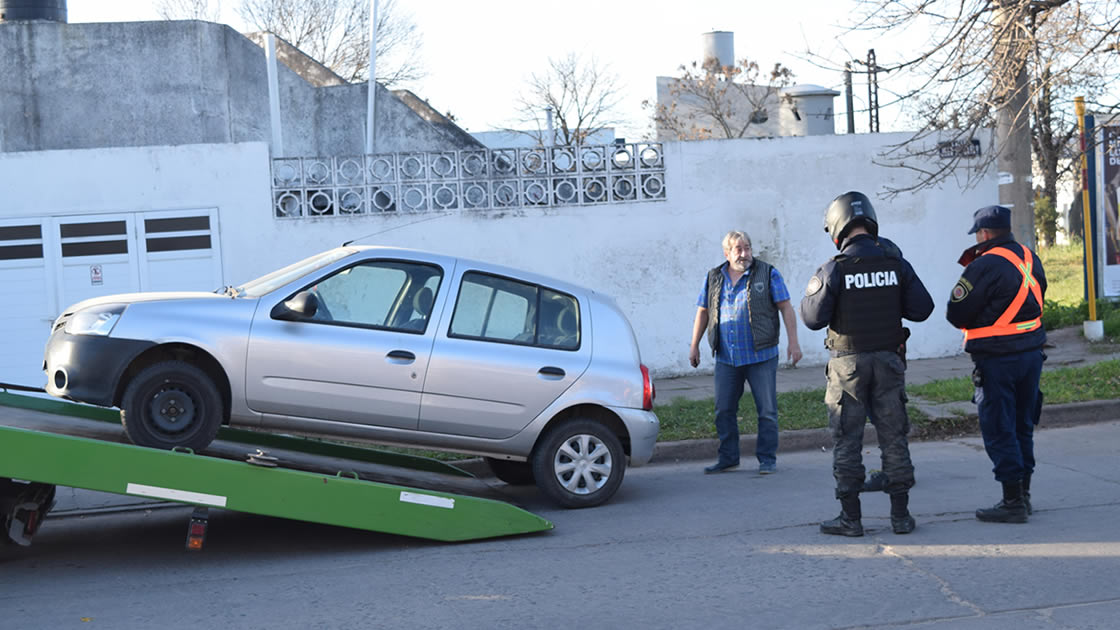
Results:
x,y
674,550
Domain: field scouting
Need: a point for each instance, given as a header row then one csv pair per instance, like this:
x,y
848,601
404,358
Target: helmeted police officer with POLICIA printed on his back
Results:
x,y
862,295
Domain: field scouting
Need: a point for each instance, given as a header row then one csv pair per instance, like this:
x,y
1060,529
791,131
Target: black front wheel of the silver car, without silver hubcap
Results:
x,y
172,404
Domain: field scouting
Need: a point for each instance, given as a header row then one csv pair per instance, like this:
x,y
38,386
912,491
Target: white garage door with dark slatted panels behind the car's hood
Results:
x,y
50,264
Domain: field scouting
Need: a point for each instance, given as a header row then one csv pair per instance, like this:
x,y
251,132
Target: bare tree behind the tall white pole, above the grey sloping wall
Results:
x,y
337,33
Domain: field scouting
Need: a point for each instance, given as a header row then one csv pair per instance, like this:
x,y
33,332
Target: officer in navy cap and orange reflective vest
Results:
x,y
998,303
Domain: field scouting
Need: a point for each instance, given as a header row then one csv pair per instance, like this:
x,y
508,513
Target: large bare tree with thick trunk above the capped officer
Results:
x,y
1016,63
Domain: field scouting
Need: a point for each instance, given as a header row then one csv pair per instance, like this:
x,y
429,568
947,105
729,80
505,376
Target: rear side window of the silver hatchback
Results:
x,y
494,309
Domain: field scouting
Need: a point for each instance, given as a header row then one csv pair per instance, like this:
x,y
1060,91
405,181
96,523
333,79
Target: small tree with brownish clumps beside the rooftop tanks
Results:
x,y
714,101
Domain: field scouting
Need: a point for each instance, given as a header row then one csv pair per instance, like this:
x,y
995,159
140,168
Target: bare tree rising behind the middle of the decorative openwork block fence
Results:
x,y
583,97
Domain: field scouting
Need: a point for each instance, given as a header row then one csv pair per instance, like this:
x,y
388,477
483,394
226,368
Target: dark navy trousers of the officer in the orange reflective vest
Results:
x,y
1006,404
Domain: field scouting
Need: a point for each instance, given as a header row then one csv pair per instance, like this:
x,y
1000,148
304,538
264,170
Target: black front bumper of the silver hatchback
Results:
x,y
88,368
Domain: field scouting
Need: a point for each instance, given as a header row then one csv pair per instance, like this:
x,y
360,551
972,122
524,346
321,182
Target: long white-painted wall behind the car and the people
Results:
x,y
652,257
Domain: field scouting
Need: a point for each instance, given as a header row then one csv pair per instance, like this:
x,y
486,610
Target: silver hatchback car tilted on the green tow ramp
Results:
x,y
387,346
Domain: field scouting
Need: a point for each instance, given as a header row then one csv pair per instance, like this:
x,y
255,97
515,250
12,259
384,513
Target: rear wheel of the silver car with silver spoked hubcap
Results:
x,y
580,464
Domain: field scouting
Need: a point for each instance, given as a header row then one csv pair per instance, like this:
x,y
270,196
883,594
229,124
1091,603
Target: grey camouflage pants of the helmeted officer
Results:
x,y
862,386
